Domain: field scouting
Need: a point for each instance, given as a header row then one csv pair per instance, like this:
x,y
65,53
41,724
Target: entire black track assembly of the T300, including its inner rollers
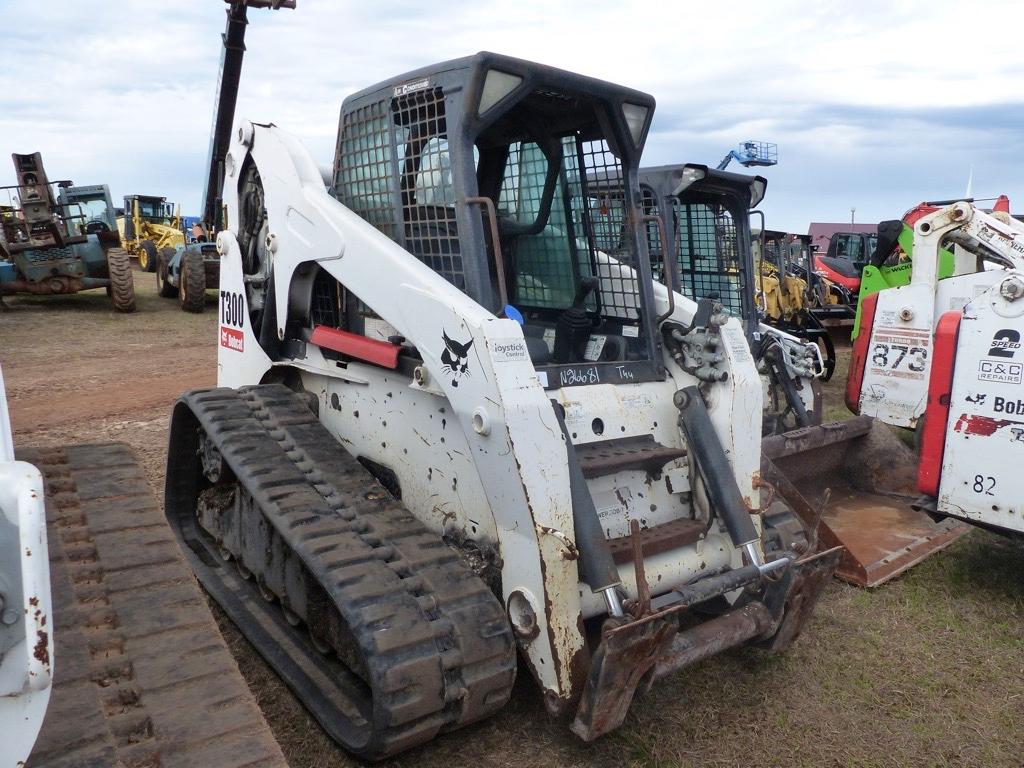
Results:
x,y
428,645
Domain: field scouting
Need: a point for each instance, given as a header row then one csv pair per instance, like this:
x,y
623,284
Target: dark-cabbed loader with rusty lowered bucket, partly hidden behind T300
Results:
x,y
868,511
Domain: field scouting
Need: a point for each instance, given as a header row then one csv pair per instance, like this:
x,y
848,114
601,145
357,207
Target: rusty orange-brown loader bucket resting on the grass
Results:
x,y
856,484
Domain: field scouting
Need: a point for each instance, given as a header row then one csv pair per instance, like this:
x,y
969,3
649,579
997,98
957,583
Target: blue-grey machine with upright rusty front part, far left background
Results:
x,y
61,244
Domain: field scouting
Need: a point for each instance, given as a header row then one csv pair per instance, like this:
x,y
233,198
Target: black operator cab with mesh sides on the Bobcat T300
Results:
x,y
485,169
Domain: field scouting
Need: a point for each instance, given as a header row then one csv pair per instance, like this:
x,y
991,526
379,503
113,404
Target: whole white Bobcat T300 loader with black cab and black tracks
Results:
x,y
450,426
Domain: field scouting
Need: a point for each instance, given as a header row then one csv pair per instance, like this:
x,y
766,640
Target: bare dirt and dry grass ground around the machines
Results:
x,y
927,670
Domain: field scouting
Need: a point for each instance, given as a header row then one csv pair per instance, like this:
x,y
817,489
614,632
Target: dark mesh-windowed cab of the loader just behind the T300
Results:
x,y
706,214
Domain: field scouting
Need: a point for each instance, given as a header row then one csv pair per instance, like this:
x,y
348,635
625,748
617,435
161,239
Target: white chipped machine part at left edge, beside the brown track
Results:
x,y
26,618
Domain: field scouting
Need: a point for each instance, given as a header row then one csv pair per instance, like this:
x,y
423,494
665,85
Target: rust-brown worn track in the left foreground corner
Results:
x,y
143,676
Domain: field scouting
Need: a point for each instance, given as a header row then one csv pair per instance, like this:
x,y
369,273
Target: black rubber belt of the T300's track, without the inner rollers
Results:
x,y
435,639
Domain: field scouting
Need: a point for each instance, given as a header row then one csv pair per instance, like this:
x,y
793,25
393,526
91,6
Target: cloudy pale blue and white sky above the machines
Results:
x,y
875,106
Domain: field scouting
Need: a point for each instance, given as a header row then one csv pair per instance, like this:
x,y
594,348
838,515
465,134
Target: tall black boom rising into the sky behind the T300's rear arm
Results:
x,y
227,99
